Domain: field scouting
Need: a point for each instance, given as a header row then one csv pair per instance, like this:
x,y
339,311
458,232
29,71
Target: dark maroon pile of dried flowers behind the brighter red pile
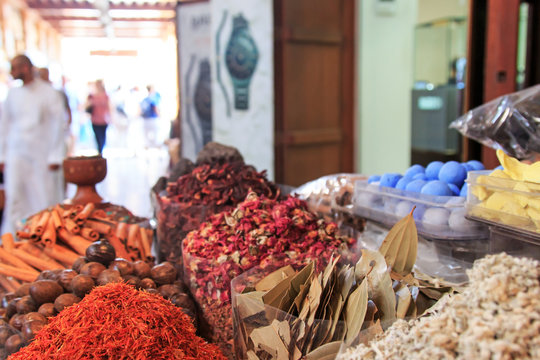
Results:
x,y
208,189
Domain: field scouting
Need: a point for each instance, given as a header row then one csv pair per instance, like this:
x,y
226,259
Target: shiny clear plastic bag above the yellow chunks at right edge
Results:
x,y
509,122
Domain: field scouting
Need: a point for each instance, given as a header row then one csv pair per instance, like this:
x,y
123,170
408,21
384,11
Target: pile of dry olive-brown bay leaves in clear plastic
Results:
x,y
292,314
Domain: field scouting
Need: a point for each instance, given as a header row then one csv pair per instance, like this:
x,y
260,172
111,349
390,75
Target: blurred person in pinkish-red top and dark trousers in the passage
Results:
x,y
99,108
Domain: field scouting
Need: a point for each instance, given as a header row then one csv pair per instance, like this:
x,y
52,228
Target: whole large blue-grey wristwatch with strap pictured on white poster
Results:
x,y
241,56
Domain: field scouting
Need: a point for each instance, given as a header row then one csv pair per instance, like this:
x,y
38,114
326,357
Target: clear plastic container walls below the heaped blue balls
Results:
x,y
436,217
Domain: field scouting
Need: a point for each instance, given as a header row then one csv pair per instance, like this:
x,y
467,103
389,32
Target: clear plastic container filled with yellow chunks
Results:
x,y
510,204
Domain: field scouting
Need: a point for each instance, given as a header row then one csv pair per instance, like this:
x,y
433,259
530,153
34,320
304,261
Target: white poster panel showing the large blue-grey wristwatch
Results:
x,y
243,79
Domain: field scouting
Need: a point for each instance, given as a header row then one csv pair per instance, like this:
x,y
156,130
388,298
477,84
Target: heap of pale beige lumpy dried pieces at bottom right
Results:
x,y
497,316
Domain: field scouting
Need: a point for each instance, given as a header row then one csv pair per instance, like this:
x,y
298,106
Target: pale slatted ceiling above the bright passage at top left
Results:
x,y
102,18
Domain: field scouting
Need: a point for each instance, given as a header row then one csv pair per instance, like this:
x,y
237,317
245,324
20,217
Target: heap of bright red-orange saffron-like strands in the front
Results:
x,y
116,321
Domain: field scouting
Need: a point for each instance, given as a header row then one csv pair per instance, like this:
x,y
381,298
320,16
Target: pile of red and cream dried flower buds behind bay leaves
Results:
x,y
259,232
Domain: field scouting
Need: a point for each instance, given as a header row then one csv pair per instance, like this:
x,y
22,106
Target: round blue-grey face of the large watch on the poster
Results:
x,y
241,55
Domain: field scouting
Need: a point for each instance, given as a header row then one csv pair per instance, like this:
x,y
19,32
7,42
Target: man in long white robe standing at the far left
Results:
x,y
31,146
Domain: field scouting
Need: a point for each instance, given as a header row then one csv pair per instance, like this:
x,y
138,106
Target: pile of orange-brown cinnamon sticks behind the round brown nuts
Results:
x,y
54,238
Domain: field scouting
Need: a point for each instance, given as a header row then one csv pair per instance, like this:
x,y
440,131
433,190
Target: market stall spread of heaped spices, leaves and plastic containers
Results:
x,y
346,266
